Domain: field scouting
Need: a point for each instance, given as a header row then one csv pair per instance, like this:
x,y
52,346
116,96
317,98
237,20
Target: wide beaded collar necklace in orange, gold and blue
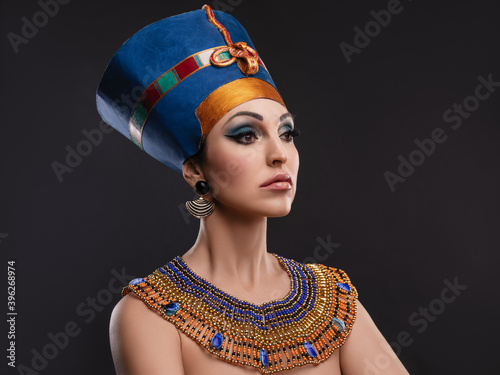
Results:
x,y
305,326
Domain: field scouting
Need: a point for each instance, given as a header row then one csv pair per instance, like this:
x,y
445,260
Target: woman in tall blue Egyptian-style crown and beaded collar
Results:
x,y
227,305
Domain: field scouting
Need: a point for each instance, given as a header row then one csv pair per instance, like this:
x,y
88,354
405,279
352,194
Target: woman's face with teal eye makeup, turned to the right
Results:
x,y
245,150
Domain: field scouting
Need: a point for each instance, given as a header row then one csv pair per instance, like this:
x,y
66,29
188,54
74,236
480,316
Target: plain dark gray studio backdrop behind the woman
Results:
x,y
118,209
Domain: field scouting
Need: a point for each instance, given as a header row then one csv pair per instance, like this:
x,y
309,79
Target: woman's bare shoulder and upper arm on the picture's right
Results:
x,y
366,351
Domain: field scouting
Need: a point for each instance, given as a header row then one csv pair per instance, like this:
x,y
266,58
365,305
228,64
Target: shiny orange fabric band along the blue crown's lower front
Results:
x,y
230,95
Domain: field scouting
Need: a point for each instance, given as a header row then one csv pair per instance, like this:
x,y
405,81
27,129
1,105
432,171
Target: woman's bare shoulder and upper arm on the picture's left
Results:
x,y
142,342
